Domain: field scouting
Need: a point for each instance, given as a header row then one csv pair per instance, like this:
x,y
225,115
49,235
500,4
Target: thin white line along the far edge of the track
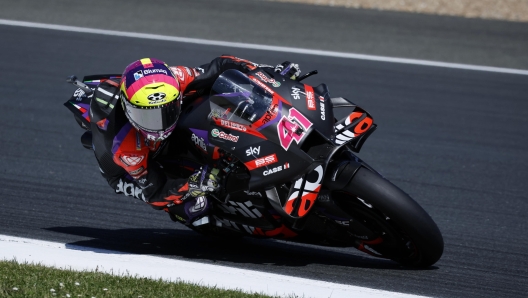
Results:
x,y
264,47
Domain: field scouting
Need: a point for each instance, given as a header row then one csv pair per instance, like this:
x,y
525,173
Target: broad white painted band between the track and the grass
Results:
x,y
79,258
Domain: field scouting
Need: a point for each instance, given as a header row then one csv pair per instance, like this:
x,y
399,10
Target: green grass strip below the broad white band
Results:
x,y
29,280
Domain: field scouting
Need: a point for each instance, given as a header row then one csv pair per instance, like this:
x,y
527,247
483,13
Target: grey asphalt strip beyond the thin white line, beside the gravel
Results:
x,y
394,34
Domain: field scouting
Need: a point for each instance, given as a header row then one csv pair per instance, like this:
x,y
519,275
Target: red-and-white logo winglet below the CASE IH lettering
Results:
x,y
309,193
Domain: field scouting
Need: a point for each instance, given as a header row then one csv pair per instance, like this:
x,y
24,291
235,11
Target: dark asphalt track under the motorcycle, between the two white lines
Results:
x,y
455,140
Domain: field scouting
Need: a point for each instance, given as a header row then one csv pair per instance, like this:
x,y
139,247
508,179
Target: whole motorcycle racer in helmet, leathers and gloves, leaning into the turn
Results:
x,y
132,123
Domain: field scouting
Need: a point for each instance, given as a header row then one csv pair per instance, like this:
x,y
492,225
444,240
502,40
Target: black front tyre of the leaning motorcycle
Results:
x,y
388,223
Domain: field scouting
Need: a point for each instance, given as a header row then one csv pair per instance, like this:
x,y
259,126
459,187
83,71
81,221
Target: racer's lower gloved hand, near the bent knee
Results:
x,y
204,182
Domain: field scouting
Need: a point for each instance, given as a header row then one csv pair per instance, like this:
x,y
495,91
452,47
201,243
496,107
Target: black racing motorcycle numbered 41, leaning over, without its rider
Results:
x,y
291,167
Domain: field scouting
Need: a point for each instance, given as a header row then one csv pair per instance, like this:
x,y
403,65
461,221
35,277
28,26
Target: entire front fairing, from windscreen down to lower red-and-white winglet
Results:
x,y
281,130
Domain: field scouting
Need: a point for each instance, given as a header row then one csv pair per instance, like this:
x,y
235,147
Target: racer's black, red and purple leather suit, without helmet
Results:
x,y
130,163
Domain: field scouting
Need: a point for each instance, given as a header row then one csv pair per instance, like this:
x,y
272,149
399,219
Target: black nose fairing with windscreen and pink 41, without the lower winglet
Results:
x,y
269,138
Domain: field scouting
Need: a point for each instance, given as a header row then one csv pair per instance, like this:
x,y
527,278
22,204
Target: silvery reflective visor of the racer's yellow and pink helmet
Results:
x,y
159,118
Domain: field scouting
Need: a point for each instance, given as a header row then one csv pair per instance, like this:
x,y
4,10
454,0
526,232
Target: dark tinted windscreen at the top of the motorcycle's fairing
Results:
x,y
236,98
